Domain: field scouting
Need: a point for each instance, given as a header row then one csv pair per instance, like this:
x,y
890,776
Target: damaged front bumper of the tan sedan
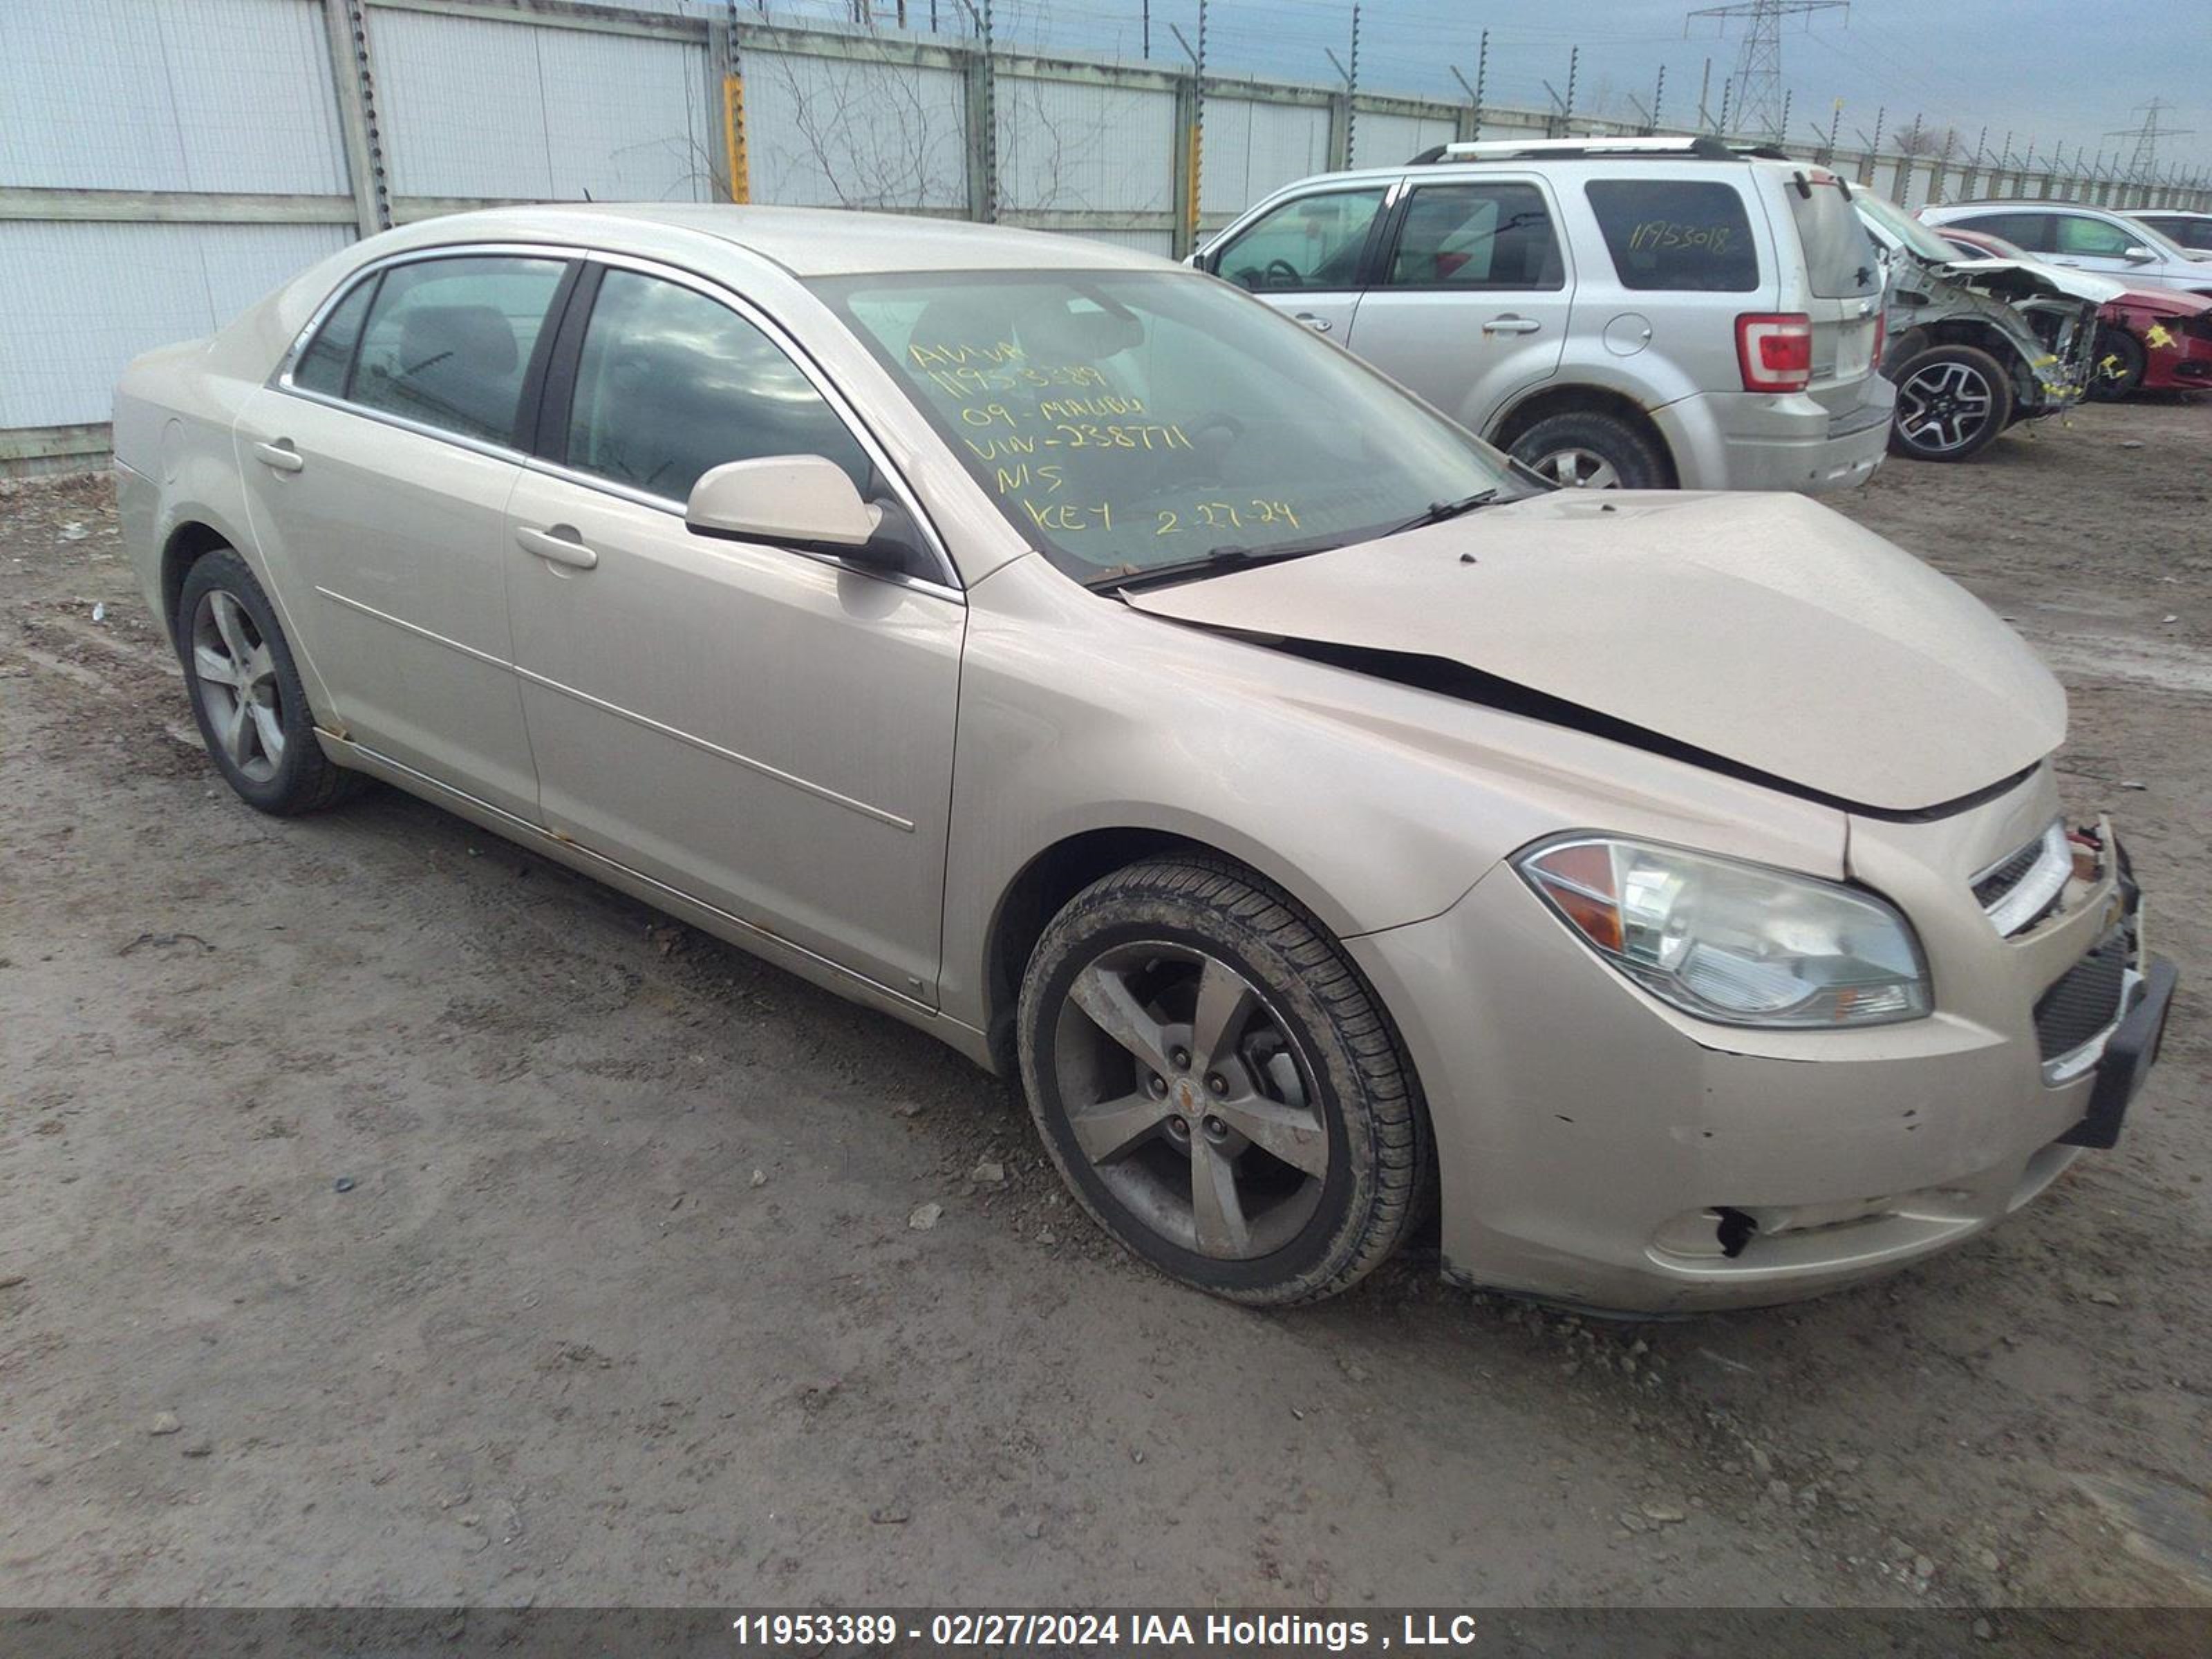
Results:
x,y
1605,1149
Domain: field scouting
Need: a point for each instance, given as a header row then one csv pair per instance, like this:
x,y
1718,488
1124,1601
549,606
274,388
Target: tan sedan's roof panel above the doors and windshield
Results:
x,y
808,242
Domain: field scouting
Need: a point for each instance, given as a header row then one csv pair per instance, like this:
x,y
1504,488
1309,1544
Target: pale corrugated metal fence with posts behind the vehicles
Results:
x,y
167,163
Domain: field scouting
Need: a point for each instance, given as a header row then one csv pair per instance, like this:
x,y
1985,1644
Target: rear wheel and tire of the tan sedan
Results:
x,y
247,693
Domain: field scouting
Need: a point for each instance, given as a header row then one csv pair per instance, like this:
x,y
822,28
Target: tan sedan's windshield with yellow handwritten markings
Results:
x,y
1127,421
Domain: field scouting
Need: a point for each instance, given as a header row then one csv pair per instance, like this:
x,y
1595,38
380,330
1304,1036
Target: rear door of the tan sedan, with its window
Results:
x,y
377,479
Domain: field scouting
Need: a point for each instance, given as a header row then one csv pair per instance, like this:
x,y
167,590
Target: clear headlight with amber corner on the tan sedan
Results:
x,y
1735,943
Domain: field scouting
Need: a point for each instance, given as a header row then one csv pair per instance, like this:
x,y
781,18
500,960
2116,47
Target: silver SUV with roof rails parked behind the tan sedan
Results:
x,y
1616,313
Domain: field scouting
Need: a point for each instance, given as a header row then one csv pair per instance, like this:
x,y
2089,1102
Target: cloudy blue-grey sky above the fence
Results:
x,y
2032,67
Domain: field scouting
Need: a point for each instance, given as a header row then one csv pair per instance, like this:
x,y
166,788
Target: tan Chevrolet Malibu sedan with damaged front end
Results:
x,y
1662,895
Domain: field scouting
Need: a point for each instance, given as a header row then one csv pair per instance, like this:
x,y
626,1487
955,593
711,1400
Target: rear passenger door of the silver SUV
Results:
x,y
1470,300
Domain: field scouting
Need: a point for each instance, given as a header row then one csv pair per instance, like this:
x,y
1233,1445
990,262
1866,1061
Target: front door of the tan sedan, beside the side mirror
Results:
x,y
755,727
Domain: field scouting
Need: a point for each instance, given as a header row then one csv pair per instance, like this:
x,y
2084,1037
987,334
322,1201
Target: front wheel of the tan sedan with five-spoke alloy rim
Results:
x,y
1218,1085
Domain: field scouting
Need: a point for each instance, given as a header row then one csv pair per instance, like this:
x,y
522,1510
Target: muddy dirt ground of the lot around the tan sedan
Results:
x,y
388,1215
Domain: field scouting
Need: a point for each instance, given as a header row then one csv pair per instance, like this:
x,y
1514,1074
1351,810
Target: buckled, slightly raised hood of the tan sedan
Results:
x,y
1760,632
